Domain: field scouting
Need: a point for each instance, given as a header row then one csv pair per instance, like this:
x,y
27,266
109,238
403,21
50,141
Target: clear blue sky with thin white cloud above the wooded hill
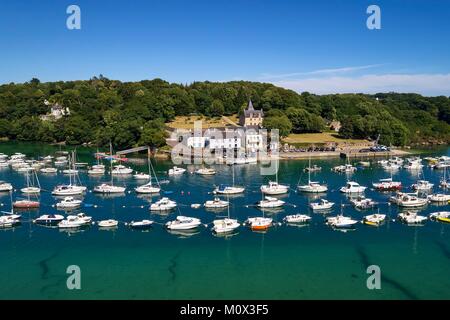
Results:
x,y
318,46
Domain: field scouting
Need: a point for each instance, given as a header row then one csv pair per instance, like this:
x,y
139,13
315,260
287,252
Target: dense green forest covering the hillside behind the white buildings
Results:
x,y
134,113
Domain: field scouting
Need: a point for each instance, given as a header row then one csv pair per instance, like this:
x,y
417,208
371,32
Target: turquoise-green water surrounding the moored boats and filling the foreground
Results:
x,y
310,262
